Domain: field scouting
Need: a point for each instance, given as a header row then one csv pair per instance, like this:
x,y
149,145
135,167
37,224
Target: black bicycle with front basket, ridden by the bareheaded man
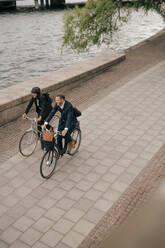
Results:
x,y
52,155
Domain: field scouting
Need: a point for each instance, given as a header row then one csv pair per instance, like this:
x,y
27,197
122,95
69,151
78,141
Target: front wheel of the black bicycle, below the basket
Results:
x,y
48,164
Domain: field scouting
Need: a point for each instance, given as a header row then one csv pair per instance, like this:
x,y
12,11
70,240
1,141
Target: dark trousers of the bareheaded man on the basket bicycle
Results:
x,y
67,139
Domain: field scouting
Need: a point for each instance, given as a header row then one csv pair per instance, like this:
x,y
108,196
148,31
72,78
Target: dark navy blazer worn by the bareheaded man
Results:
x,y
67,119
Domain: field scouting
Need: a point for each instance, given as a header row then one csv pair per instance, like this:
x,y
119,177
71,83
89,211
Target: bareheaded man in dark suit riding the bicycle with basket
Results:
x,y
67,123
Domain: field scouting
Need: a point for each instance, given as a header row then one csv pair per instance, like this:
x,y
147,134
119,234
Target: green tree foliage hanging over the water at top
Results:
x,y
96,23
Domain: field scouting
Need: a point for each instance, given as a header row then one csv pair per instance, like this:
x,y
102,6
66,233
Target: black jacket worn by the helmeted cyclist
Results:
x,y
43,106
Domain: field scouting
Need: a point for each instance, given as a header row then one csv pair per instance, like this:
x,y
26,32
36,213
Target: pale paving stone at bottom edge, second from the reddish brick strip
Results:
x,y
51,238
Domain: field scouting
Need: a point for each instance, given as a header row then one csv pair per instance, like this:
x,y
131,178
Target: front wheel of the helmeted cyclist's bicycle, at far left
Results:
x,y
28,143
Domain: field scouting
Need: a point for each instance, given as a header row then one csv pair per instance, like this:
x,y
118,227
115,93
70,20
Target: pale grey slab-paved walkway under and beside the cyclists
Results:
x,y
121,133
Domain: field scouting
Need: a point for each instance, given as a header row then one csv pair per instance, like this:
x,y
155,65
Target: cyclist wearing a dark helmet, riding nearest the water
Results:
x,y
43,104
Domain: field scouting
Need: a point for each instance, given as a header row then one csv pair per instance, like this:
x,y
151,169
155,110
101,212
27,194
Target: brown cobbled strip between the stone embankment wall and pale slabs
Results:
x,y
139,59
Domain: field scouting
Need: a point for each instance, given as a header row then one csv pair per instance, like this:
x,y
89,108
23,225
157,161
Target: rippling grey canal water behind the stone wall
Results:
x,y
30,41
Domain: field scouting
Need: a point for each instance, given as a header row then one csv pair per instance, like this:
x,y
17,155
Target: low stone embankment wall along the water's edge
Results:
x,y
14,99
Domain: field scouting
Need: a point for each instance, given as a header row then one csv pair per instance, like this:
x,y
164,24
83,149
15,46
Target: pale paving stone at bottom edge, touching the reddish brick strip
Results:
x,y
73,239
